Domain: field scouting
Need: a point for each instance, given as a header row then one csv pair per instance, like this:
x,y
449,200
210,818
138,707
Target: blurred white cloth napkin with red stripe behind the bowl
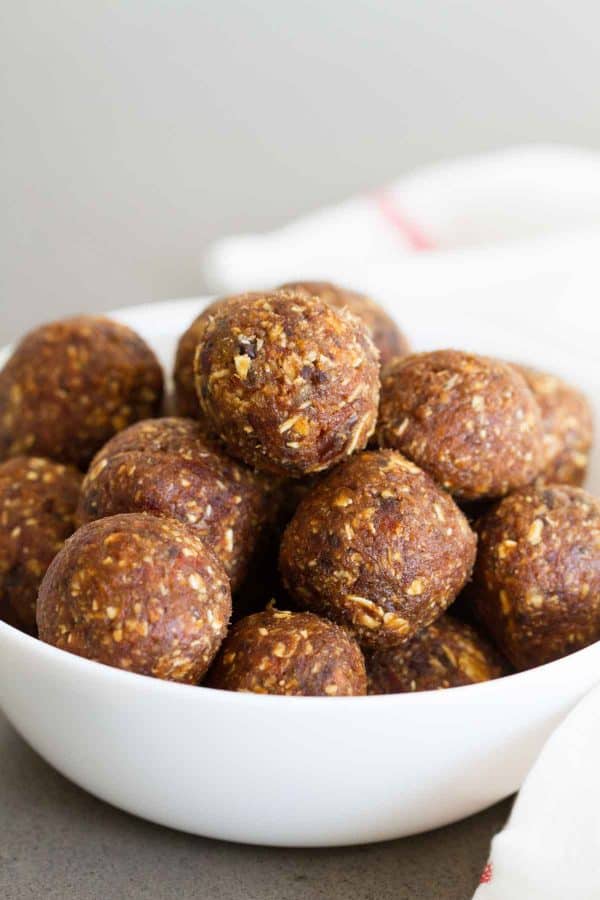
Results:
x,y
506,235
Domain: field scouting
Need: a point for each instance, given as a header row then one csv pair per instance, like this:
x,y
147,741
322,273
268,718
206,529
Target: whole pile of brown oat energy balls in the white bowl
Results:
x,y
370,519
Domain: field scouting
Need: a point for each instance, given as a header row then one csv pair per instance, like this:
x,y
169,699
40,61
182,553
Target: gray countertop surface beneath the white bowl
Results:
x,y
59,843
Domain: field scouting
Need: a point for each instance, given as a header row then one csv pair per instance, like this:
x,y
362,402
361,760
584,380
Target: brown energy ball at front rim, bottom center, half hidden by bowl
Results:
x,y
297,654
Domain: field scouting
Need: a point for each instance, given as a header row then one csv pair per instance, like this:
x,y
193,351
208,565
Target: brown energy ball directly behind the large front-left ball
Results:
x,y
168,467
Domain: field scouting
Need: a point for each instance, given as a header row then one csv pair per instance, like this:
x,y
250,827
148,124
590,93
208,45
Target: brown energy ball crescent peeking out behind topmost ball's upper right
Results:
x,y
384,332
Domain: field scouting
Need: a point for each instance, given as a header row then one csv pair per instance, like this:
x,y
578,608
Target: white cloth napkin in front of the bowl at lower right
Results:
x,y
550,848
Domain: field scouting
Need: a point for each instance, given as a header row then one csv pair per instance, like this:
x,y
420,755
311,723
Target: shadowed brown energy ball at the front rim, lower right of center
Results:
x,y
446,654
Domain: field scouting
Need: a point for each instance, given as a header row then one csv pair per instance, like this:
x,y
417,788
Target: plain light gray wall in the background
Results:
x,y
136,131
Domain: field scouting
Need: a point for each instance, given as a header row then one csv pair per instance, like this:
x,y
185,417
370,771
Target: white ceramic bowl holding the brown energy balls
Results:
x,y
296,771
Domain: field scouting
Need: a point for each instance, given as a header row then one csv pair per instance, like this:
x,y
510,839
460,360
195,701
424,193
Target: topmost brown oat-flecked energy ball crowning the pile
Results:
x,y
290,384
